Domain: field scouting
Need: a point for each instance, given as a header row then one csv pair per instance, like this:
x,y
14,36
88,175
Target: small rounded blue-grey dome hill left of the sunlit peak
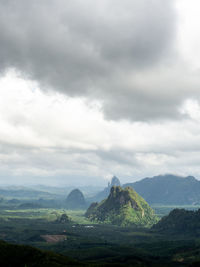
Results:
x,y
75,200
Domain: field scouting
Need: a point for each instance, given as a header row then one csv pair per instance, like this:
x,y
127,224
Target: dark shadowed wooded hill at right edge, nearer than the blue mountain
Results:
x,y
180,221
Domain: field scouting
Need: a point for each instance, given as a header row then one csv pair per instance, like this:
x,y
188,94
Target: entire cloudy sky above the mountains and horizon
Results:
x,y
91,89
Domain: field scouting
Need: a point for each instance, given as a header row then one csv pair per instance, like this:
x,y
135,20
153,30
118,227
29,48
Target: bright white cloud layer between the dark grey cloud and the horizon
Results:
x,y
52,139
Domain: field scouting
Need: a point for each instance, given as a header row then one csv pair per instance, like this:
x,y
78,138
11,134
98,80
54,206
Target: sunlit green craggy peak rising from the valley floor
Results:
x,y
122,207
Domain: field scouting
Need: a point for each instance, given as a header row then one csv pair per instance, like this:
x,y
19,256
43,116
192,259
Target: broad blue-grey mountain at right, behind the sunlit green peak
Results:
x,y
168,190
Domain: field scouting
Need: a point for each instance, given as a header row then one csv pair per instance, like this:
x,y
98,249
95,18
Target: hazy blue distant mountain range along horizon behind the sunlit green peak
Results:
x,y
161,190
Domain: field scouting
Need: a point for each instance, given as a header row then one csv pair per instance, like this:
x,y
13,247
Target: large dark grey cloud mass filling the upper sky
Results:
x,y
109,50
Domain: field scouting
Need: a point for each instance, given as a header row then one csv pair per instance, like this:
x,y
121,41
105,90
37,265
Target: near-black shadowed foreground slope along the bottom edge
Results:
x,y
26,256
